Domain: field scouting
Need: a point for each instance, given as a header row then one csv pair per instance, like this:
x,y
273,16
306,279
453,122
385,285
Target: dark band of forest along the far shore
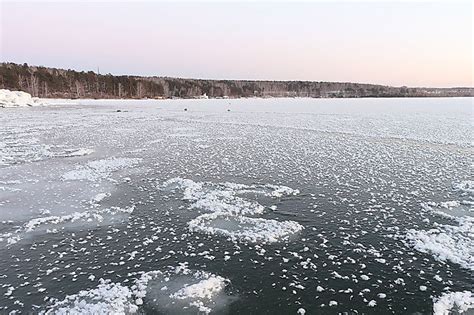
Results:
x,y
59,83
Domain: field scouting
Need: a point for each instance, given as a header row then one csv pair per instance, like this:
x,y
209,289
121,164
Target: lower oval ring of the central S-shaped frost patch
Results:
x,y
246,229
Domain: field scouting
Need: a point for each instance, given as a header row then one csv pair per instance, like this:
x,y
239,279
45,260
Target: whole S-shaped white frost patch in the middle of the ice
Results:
x,y
230,210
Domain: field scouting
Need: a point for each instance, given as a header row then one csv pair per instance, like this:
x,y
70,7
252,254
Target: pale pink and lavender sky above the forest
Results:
x,y
419,43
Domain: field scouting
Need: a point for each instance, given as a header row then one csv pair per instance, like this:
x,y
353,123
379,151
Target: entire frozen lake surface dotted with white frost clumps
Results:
x,y
251,206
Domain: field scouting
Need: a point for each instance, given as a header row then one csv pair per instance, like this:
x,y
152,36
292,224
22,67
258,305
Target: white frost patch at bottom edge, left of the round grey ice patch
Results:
x,y
107,298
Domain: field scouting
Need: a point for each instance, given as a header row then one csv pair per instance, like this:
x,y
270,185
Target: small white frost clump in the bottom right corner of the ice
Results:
x,y
450,302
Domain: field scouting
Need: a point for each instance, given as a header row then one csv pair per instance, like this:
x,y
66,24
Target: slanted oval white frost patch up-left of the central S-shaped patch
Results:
x,y
100,169
